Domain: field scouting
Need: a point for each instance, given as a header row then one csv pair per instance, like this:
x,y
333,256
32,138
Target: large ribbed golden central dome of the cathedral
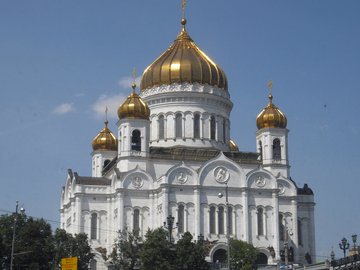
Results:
x,y
183,62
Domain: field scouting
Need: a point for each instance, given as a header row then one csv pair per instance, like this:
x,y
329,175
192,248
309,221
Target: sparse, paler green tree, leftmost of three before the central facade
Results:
x,y
126,252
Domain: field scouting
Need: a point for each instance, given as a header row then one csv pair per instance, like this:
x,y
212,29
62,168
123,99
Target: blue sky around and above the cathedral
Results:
x,y
62,61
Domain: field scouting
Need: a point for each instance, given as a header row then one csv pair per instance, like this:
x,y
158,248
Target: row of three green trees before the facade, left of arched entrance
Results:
x,y
157,253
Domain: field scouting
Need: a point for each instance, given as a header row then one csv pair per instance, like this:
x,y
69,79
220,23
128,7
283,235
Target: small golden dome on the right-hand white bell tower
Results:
x,y
271,117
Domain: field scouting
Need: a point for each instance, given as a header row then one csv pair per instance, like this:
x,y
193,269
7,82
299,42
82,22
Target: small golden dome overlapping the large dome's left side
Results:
x,y
134,107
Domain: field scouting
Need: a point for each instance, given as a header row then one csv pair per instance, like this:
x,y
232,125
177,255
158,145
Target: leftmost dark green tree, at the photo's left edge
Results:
x,y
33,246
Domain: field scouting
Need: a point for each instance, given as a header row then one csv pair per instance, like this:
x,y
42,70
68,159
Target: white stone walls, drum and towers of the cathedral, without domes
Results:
x,y
182,176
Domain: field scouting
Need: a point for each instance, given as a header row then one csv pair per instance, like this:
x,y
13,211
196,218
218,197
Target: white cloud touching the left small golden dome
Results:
x,y
111,102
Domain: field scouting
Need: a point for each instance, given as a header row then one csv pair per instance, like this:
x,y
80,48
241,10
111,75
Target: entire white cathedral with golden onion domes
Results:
x,y
172,155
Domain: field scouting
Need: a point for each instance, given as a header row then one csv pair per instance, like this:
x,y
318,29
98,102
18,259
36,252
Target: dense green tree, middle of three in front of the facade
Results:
x,y
157,253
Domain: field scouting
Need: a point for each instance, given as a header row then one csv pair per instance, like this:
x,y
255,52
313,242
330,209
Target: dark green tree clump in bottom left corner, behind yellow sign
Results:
x,y
35,246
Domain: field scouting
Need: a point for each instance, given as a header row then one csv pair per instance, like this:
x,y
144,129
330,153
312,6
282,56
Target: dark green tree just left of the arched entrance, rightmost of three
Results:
x,y
190,255
